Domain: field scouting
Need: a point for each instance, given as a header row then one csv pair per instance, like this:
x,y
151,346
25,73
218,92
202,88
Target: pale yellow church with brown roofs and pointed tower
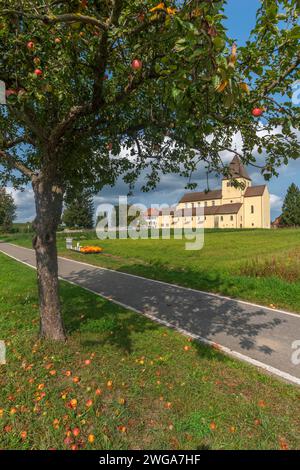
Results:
x,y
229,207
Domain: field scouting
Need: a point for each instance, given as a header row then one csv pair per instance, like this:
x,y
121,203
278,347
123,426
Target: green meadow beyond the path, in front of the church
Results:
x,y
261,266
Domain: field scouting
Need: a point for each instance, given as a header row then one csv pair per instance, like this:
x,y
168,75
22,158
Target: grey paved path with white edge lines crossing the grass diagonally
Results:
x,y
257,334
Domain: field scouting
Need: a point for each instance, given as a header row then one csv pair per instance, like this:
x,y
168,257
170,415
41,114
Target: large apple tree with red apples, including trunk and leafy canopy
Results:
x,y
86,79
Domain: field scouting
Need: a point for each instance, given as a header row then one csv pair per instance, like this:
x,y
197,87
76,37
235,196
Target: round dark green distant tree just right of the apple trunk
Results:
x,y
79,211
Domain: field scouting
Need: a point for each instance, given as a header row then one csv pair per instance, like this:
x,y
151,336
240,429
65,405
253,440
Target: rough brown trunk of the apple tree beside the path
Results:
x,y
48,201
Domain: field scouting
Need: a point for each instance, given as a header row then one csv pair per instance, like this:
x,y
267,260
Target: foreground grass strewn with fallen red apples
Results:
x,y
143,386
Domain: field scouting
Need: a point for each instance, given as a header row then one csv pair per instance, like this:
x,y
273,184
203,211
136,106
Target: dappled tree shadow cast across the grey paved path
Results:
x,y
211,317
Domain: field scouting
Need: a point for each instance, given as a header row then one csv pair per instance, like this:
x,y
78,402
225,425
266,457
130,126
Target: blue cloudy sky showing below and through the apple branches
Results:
x,y
241,19
